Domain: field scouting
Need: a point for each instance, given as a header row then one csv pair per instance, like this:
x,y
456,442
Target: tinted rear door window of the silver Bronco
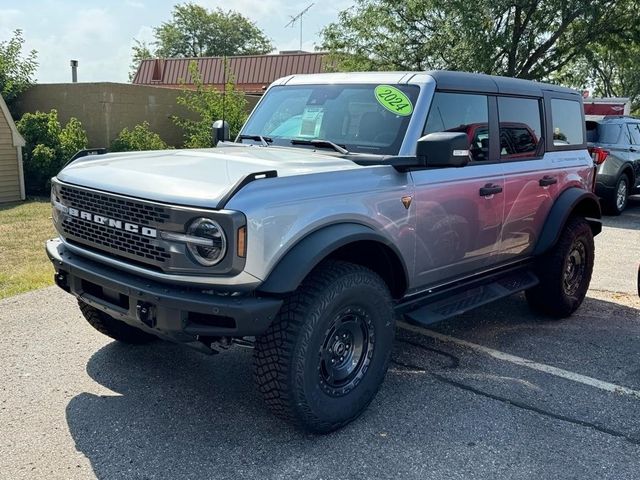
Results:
x,y
520,127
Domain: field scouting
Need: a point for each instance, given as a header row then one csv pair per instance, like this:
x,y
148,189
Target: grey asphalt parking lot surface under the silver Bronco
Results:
x,y
496,393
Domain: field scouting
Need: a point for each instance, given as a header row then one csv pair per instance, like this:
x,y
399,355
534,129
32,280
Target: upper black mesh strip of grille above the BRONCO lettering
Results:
x,y
112,207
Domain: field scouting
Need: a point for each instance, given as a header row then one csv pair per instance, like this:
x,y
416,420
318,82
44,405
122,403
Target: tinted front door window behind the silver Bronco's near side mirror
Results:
x,y
462,112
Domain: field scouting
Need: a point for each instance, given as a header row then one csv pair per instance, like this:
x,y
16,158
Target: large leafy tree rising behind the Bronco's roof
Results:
x,y
519,38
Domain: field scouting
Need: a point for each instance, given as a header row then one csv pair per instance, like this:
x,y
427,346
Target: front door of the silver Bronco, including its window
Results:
x,y
458,210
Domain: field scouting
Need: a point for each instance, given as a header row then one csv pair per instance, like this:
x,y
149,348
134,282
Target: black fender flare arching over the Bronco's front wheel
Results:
x,y
308,252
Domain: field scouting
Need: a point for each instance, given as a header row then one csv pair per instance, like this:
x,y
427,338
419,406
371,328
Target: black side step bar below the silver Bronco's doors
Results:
x,y
465,298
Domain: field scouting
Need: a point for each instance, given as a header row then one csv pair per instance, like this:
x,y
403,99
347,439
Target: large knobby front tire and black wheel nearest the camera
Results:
x,y
324,357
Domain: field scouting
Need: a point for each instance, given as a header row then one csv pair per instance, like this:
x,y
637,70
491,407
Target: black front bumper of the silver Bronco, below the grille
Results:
x,y
177,313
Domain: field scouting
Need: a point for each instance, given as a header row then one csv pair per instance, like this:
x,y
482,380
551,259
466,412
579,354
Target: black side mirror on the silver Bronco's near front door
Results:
x,y
443,149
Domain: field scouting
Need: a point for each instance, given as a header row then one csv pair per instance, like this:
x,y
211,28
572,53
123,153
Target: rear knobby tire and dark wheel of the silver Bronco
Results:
x,y
564,272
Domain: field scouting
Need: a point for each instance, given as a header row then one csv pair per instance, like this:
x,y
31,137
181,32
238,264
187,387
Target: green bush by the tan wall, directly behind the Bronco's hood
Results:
x,y
211,105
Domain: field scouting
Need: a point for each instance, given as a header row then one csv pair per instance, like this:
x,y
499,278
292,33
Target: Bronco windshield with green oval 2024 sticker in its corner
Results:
x,y
361,118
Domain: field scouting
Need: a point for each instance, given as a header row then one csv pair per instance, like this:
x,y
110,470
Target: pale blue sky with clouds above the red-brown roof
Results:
x,y
100,34
